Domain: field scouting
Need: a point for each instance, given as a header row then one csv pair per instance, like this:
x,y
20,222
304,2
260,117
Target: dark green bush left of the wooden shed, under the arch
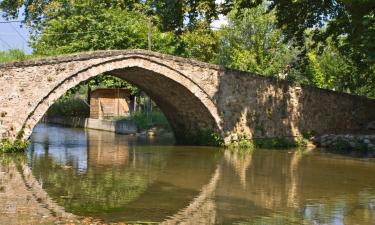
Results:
x,y
69,106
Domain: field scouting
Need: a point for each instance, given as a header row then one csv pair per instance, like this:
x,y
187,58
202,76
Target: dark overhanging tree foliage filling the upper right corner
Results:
x,y
349,25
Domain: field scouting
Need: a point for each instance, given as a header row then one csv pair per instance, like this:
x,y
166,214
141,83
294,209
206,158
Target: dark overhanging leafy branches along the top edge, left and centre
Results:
x,y
171,15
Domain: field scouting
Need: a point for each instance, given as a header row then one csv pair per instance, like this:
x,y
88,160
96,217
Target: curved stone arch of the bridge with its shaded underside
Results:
x,y
186,105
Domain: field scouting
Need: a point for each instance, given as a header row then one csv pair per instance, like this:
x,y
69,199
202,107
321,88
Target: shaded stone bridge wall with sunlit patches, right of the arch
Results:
x,y
259,107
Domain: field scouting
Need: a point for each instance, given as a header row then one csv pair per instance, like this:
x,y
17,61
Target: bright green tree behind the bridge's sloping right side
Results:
x,y
253,43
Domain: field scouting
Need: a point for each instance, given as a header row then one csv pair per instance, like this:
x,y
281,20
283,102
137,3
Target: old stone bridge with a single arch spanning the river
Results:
x,y
193,95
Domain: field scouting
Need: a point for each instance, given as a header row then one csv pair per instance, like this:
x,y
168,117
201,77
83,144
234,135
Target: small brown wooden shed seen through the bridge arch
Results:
x,y
109,102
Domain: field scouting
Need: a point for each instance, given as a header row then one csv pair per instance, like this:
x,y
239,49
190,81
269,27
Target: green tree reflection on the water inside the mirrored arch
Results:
x,y
94,192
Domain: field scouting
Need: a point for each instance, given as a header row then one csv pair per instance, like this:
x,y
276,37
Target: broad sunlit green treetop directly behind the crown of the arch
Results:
x,y
95,27
